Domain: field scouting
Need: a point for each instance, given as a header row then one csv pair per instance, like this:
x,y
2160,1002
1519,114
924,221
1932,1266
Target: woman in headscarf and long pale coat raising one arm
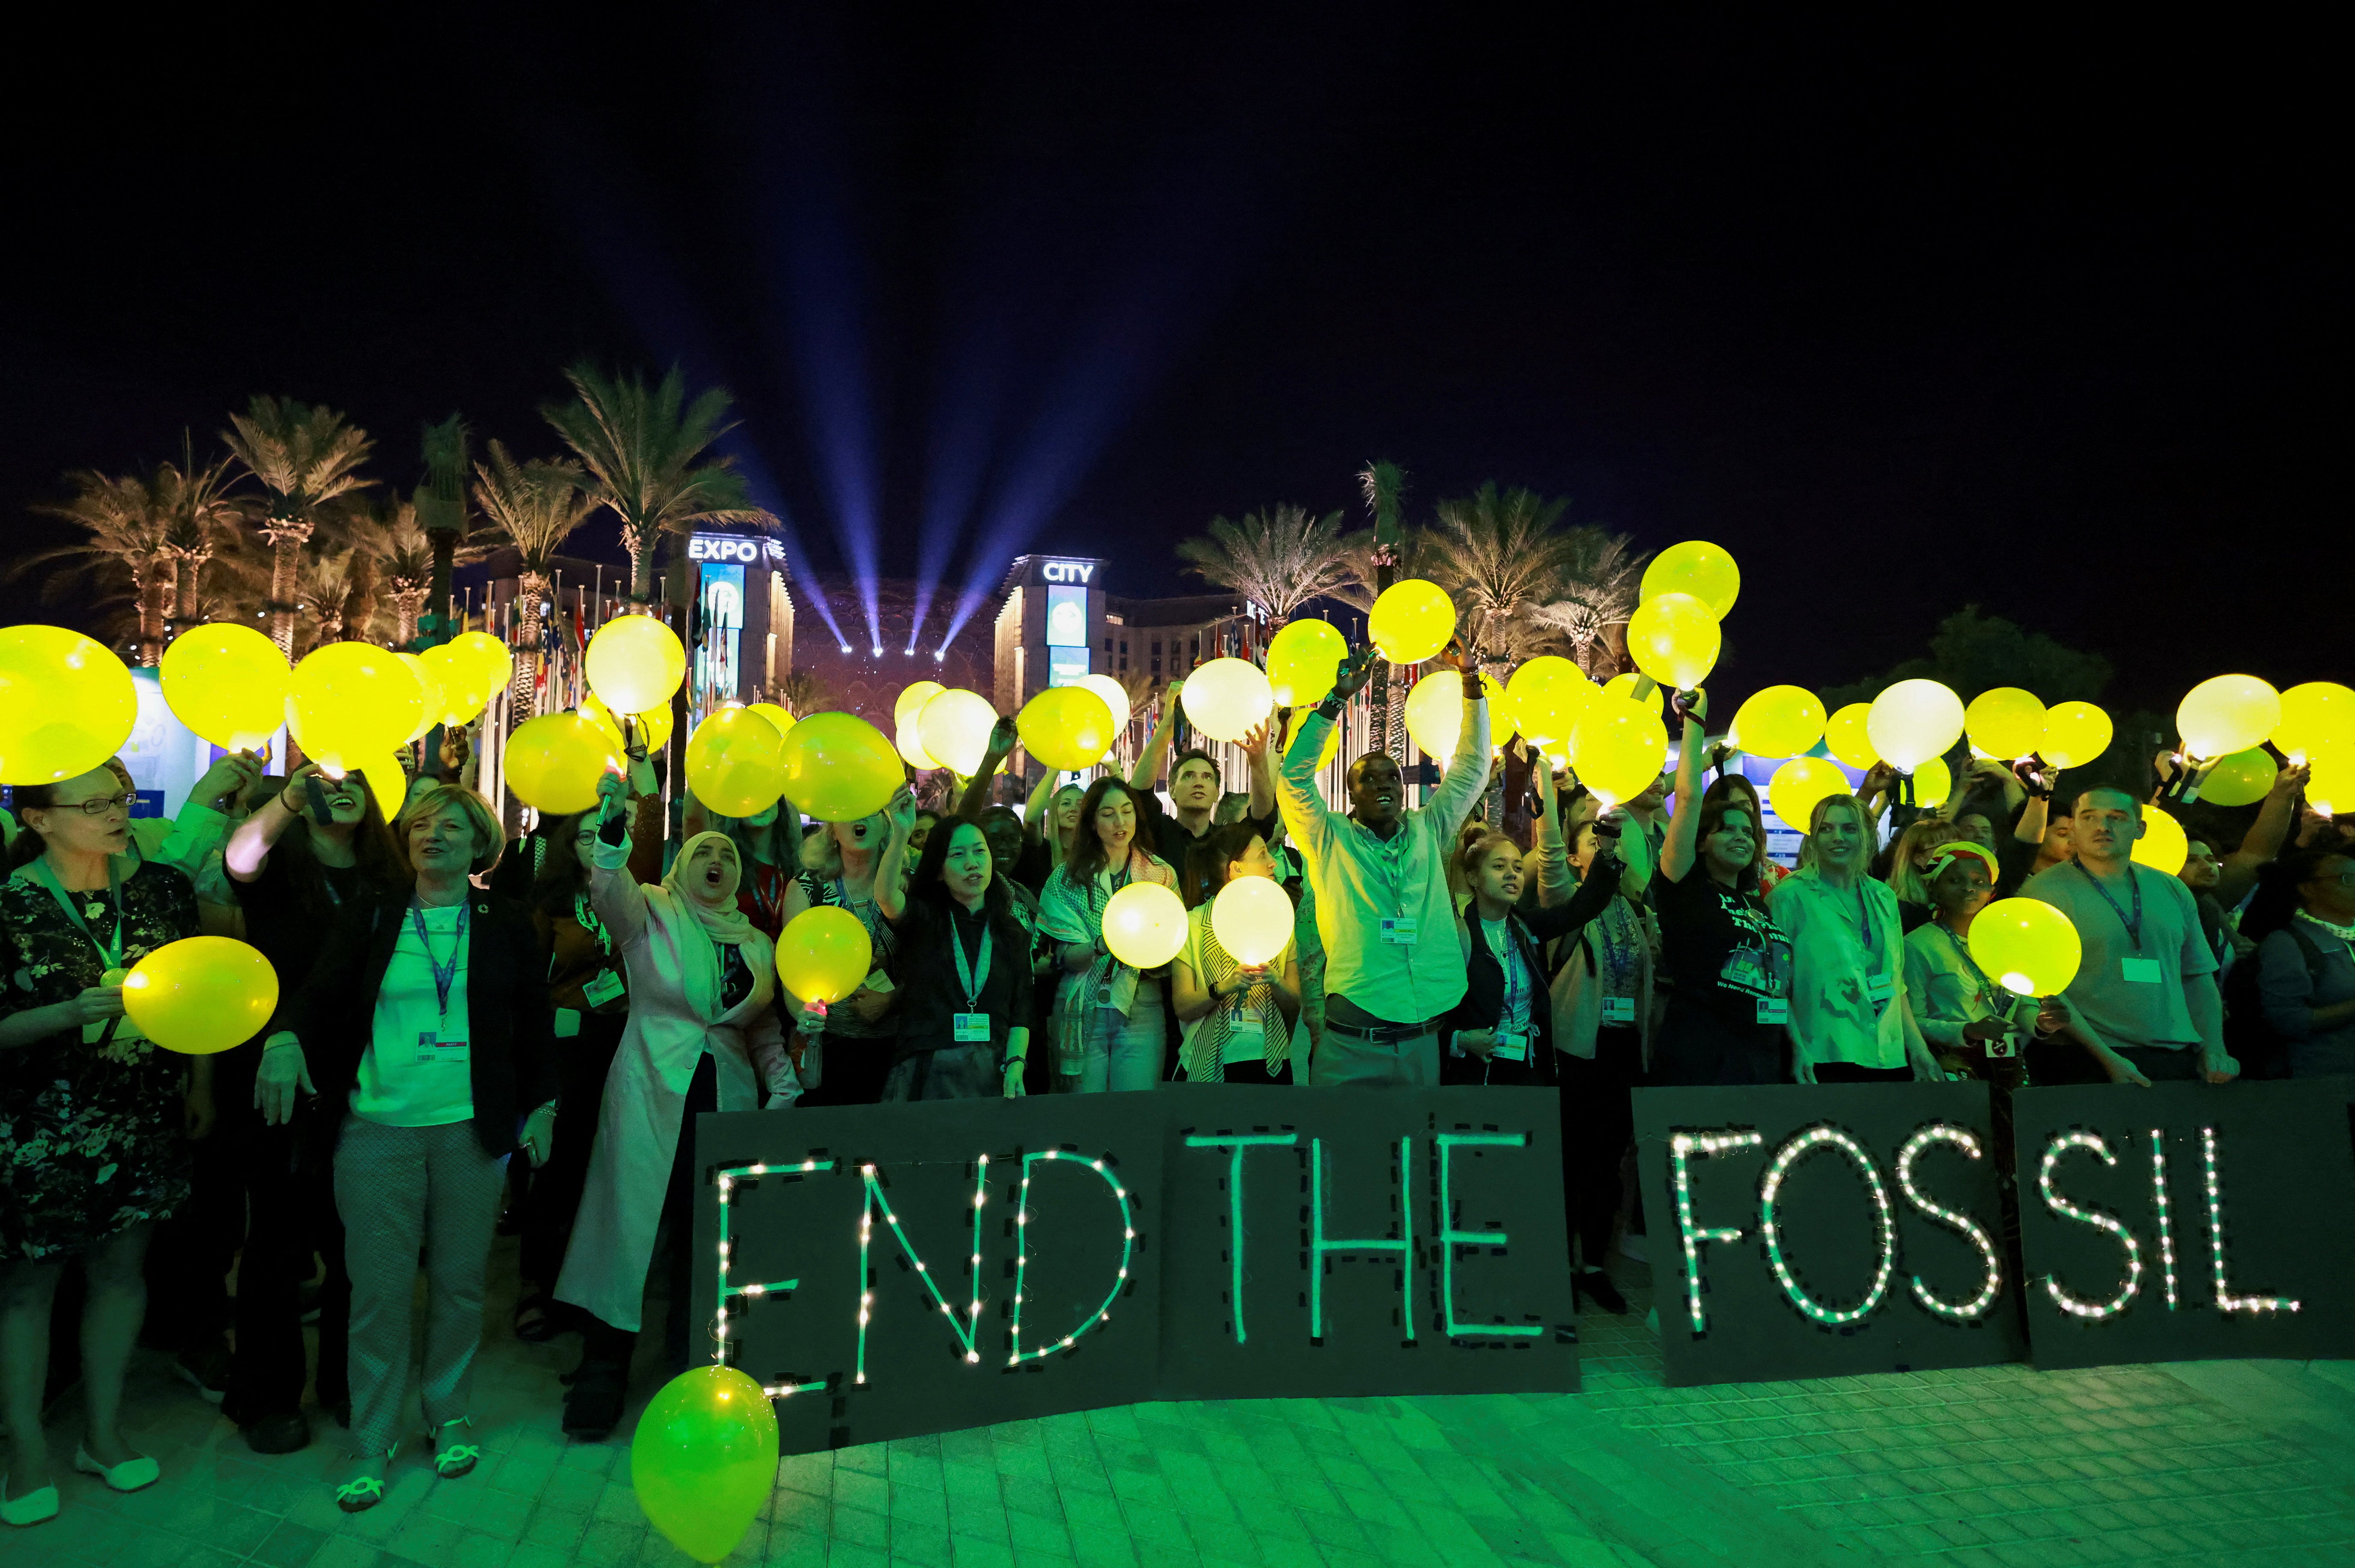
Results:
x,y
703,1037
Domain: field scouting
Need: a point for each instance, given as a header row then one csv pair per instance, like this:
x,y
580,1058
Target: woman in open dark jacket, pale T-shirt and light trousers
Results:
x,y
427,1025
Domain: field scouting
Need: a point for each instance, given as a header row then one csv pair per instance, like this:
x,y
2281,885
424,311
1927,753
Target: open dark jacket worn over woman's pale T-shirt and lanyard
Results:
x,y
508,1011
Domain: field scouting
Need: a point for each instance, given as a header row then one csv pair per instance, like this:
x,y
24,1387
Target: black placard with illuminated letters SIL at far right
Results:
x,y
2283,1218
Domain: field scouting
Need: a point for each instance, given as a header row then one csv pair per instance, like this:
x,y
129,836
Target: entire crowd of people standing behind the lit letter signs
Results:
x,y
477,1028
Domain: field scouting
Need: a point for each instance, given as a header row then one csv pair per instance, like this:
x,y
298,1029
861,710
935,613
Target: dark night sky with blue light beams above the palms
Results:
x,y
1904,312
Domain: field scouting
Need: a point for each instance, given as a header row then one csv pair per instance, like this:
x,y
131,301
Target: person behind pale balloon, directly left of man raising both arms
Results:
x,y
1238,1016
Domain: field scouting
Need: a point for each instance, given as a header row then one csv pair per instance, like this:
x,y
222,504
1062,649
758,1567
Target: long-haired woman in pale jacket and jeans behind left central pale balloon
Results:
x,y
1113,1032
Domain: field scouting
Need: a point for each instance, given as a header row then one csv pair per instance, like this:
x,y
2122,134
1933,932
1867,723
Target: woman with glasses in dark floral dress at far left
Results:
x,y
93,1117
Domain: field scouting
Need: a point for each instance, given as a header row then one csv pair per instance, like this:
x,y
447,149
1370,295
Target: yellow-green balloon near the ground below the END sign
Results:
x,y
705,1459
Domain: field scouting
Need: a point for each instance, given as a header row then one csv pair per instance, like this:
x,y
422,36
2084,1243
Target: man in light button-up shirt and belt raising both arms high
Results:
x,y
1384,910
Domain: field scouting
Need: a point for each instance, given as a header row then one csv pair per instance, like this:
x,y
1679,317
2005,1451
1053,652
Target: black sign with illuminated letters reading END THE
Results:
x,y
922,1268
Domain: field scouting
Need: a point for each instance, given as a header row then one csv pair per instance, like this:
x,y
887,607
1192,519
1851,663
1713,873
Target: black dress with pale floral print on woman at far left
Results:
x,y
91,1141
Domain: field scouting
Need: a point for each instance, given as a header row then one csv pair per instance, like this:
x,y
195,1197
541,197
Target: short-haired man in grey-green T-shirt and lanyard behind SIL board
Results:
x,y
2147,985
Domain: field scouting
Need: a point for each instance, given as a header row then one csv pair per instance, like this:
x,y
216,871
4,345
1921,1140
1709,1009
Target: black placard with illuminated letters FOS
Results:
x,y
1838,1148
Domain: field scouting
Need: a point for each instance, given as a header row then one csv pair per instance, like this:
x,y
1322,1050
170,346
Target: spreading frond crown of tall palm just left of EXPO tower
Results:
x,y
644,449
